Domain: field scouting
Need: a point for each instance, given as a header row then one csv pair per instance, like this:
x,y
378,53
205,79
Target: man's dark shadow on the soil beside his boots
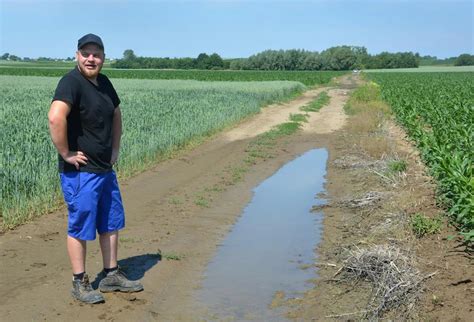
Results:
x,y
134,267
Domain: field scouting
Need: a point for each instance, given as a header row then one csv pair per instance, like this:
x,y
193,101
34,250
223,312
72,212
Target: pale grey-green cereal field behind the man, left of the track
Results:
x,y
158,116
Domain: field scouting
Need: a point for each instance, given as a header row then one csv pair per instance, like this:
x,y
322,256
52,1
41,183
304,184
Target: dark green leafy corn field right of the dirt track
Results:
x,y
437,111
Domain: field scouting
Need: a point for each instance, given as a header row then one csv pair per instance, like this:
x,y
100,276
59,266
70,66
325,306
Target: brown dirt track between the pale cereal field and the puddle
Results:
x,y
174,209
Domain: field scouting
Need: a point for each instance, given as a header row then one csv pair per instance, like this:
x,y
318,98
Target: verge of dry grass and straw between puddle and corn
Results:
x,y
382,282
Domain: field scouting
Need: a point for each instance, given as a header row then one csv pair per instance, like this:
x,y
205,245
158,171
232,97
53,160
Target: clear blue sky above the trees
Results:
x,y
50,28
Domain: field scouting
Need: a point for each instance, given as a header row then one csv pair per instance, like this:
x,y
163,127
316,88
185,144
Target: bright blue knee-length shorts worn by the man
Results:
x,y
94,203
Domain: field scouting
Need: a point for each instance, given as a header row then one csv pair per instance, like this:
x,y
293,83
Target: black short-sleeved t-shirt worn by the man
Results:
x,y
89,123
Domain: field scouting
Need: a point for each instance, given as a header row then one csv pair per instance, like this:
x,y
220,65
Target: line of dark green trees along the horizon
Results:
x,y
334,58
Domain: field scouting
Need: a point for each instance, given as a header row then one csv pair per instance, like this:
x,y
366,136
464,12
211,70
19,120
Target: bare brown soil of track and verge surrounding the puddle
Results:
x,y
179,211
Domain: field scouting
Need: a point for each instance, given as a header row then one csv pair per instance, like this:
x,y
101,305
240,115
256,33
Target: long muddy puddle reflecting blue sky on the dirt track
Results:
x,y
271,247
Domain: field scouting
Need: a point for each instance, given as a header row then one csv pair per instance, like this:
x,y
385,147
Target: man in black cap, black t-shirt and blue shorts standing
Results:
x,y
86,125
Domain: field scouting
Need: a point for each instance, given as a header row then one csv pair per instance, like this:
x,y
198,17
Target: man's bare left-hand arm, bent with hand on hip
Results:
x,y
58,129
